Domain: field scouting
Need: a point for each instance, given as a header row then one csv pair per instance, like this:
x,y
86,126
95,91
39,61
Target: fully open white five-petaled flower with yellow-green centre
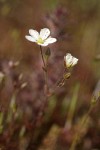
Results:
x,y
43,38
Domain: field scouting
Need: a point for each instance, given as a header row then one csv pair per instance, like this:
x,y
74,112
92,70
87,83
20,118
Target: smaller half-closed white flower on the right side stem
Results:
x,y
70,61
